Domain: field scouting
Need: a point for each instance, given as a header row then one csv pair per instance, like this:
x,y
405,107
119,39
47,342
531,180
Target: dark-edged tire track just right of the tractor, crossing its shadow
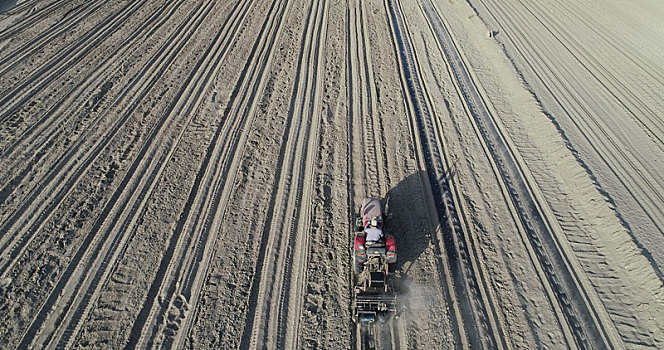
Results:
x,y
475,316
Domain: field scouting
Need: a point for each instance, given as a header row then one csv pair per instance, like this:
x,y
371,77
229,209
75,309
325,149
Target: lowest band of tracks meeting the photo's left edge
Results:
x,y
66,173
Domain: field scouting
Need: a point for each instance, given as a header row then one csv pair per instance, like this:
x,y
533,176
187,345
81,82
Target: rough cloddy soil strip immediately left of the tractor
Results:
x,y
324,315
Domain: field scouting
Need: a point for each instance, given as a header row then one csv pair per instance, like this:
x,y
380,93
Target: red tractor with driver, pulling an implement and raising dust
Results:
x,y
374,252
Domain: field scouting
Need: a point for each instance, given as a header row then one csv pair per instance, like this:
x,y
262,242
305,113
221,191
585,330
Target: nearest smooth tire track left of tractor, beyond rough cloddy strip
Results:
x,y
274,317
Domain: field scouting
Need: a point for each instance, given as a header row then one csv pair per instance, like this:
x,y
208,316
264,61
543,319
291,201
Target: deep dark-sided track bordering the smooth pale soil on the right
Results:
x,y
584,316
